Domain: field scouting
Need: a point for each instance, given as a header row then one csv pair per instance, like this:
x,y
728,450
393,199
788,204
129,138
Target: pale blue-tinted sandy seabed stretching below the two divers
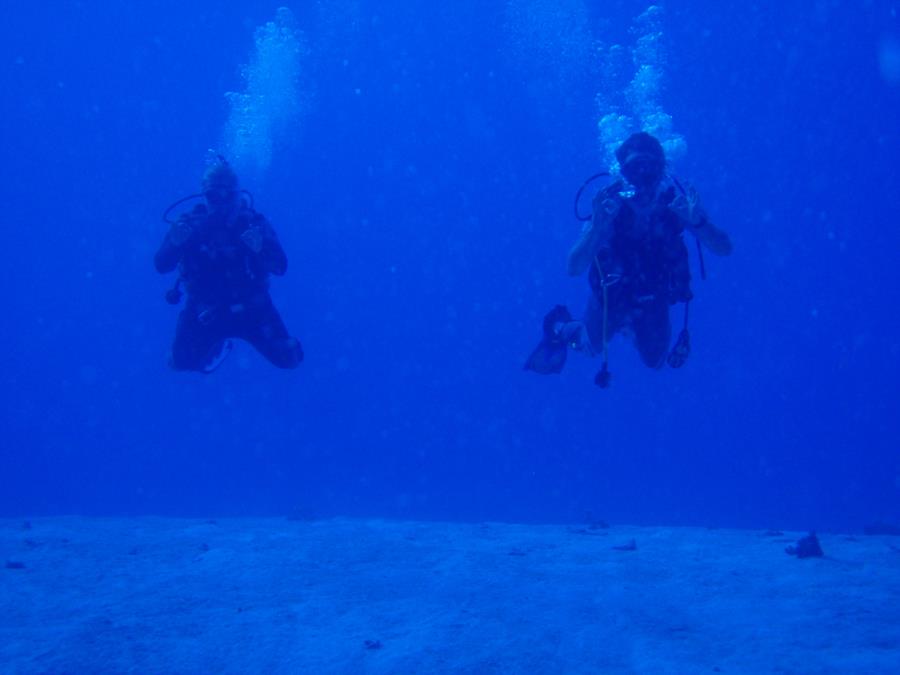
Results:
x,y
154,595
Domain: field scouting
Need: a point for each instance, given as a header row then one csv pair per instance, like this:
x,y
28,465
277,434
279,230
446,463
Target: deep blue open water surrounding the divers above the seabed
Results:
x,y
425,205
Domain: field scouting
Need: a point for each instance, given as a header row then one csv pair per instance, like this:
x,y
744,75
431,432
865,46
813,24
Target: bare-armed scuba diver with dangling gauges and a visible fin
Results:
x,y
633,248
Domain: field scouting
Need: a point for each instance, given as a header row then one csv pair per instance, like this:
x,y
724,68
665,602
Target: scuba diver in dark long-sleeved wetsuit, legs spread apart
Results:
x,y
225,252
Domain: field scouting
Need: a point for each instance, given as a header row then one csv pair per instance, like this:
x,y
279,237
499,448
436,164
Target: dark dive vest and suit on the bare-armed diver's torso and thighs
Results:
x,y
653,273
